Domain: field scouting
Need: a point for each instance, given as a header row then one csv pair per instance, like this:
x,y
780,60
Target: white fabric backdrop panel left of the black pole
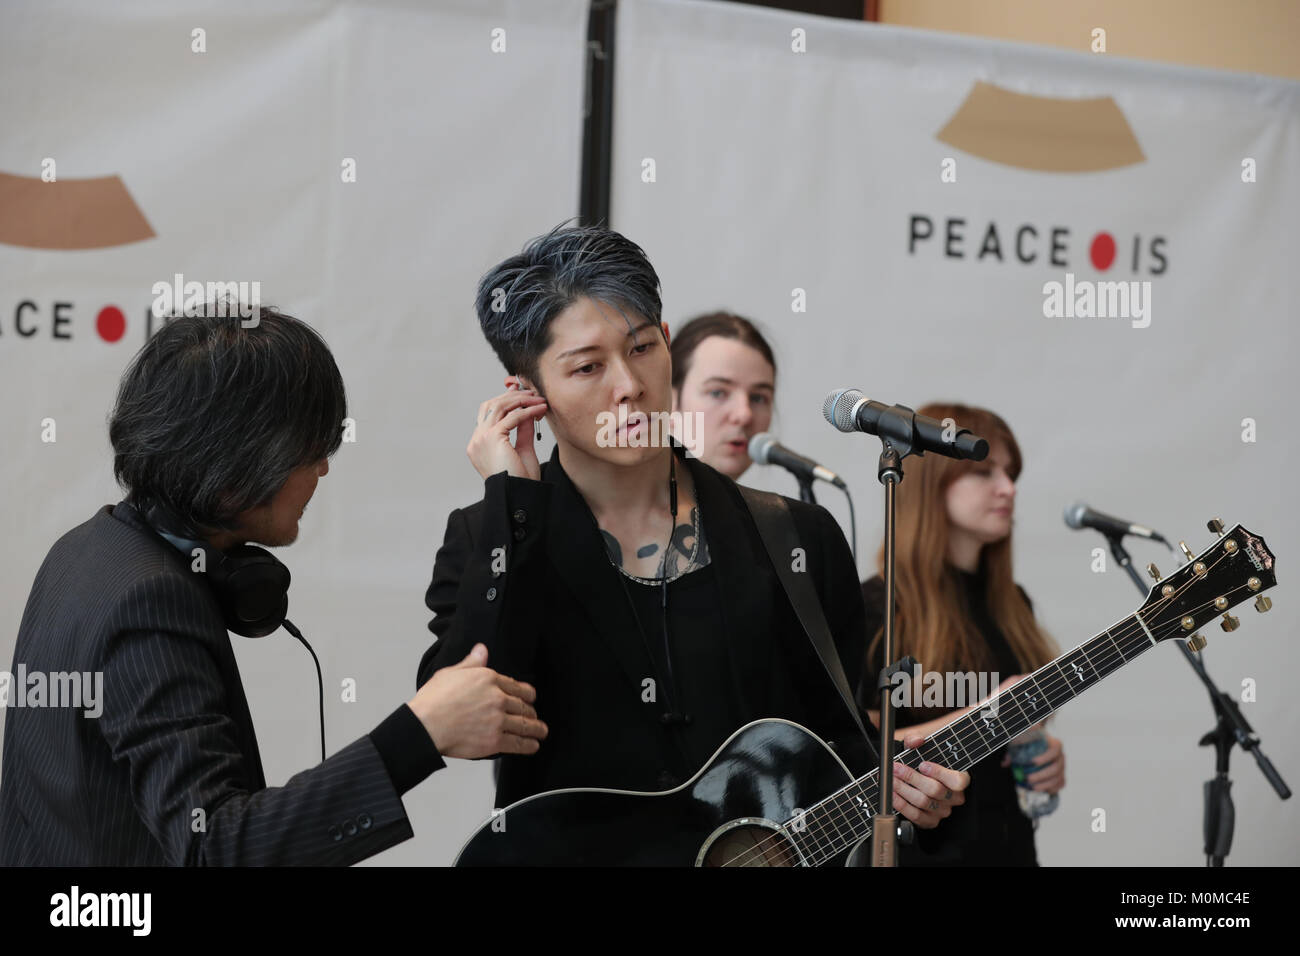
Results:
x,y
235,158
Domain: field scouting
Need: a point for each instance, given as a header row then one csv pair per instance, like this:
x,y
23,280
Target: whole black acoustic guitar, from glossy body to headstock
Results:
x,y
775,795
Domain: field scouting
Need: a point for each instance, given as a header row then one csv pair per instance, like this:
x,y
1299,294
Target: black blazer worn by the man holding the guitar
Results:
x,y
526,573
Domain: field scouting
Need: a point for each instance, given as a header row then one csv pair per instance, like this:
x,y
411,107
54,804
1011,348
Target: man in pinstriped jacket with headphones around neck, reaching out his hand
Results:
x,y
220,434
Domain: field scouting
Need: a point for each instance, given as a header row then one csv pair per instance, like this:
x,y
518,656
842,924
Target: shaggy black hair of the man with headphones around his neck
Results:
x,y
211,417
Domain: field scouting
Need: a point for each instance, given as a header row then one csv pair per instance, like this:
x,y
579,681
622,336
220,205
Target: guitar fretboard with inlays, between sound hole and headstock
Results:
x,y
844,819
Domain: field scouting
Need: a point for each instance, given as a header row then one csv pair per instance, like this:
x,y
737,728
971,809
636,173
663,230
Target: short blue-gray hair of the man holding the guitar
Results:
x,y
519,299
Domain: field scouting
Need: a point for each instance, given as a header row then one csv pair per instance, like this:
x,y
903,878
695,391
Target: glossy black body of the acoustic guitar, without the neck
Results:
x,y
730,814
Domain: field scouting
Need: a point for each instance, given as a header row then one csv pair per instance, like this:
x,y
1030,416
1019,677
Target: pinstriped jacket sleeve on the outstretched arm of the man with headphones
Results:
x,y
167,719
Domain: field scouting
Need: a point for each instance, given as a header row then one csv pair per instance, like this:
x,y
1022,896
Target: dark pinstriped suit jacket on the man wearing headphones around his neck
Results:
x,y
170,773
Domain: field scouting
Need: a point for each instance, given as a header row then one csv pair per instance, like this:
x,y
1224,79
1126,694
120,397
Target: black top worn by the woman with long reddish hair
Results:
x,y
989,829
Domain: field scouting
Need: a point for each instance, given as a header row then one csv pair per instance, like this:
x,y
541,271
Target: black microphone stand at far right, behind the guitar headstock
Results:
x,y
1230,728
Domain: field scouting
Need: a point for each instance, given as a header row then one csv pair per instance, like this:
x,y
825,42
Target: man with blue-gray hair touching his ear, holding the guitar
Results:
x,y
625,581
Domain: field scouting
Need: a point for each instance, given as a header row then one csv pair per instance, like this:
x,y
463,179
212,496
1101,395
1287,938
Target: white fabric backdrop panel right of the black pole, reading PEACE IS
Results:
x,y
778,171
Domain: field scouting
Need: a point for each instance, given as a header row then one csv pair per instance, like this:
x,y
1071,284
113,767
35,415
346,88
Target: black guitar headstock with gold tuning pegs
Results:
x,y
1237,568
